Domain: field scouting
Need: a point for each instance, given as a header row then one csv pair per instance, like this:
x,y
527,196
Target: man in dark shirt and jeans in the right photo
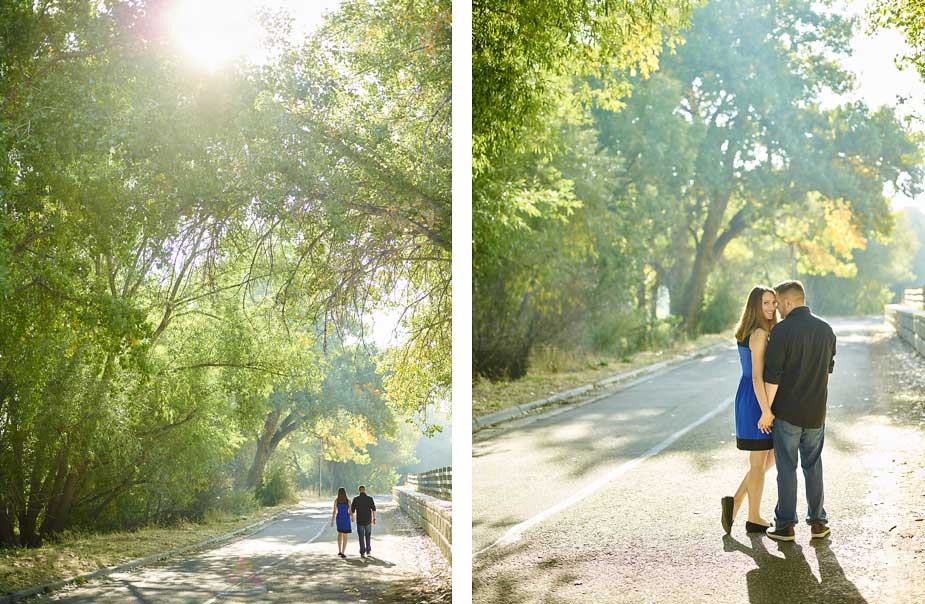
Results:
x,y
798,361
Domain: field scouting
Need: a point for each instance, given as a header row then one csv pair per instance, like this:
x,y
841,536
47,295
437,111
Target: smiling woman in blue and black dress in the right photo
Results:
x,y
753,417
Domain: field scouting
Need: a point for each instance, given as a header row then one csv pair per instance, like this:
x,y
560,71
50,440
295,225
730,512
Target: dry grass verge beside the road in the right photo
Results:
x,y
552,370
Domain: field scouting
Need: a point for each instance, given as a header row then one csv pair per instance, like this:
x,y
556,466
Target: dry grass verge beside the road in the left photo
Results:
x,y
76,553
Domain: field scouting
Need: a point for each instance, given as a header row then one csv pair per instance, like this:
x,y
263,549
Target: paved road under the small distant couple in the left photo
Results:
x,y
292,560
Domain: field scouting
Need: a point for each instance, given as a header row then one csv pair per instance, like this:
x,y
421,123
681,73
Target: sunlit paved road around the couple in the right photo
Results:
x,y
618,500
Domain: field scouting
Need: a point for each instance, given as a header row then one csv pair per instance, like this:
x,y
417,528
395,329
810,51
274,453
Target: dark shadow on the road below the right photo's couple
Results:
x,y
790,579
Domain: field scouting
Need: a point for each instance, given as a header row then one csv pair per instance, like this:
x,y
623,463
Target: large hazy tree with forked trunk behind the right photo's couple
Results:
x,y
753,138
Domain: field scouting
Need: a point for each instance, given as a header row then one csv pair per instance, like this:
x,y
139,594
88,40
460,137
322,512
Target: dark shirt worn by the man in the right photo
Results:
x,y
800,357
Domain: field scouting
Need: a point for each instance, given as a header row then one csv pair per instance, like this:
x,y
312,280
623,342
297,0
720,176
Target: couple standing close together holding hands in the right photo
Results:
x,y
780,407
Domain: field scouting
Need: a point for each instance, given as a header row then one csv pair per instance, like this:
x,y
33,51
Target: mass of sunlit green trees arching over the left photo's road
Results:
x,y
164,234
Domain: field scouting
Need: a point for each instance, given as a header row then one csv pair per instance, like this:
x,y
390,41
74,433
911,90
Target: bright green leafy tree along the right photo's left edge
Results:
x,y
538,67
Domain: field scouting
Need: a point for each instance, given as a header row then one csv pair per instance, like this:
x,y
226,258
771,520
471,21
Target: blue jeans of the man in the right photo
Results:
x,y
788,441
